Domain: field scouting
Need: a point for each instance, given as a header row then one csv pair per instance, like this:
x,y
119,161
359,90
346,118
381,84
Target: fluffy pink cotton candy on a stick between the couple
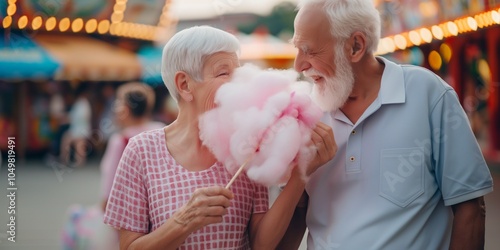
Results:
x,y
265,116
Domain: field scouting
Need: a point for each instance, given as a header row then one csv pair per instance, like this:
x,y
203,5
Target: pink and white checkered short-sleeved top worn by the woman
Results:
x,y
149,186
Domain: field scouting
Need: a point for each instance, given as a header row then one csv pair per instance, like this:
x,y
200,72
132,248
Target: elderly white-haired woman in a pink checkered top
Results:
x,y
168,190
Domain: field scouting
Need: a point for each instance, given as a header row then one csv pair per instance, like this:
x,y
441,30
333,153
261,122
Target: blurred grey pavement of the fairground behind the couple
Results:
x,y
44,193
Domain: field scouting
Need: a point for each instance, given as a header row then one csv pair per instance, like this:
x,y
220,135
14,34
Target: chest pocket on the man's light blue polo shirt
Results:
x,y
401,175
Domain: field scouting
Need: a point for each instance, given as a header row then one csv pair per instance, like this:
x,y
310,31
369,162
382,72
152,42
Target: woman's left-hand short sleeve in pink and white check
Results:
x,y
128,202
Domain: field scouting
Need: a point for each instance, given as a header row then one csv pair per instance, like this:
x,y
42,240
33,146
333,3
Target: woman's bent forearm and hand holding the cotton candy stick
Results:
x,y
206,206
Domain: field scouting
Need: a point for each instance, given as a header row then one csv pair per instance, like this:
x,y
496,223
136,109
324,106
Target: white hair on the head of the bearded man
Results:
x,y
349,16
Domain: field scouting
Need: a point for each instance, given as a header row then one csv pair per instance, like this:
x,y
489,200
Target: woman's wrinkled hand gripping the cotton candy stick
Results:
x,y
206,206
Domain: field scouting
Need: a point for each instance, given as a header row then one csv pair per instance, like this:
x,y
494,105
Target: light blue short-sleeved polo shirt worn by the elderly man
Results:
x,y
409,157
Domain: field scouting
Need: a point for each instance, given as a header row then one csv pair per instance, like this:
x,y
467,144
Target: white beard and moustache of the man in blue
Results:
x,y
334,91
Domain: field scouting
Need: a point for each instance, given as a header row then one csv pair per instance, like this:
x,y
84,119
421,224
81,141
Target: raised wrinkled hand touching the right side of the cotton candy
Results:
x,y
326,148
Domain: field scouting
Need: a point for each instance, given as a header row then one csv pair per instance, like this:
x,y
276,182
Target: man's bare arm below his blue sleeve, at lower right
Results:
x,y
468,225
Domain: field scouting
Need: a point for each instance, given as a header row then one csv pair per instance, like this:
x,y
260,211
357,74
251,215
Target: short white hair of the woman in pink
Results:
x,y
187,50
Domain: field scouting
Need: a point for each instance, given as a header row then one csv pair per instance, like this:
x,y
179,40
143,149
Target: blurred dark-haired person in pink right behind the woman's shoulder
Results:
x,y
84,229
